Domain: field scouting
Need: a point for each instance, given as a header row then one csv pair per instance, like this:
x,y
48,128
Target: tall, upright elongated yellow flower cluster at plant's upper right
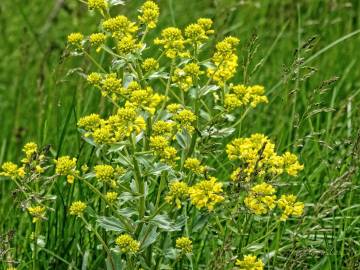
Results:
x,y
224,60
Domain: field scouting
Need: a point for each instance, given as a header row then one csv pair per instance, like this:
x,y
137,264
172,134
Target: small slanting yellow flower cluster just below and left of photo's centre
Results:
x,y
160,145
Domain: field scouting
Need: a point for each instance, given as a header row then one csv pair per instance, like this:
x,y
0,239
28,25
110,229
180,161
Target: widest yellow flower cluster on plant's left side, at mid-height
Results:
x,y
114,129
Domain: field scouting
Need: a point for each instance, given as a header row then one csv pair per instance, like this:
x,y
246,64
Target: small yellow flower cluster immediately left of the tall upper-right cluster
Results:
x,y
185,77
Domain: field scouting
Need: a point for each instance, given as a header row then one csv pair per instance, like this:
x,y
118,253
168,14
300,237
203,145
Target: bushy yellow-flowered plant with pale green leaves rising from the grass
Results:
x,y
169,175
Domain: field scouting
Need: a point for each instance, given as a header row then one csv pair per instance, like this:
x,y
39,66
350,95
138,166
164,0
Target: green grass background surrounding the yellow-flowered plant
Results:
x,y
313,88
